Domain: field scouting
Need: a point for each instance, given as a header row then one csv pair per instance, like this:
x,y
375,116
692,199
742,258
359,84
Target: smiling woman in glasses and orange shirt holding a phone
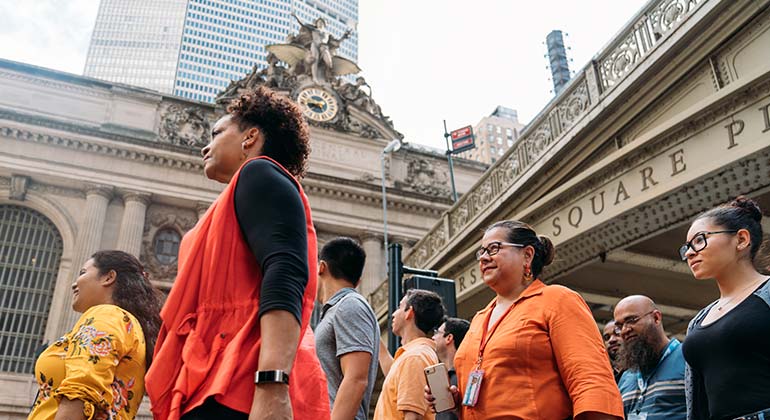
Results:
x,y
534,352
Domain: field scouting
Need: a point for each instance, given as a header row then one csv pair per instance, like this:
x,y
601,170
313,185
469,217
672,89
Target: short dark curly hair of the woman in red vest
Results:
x,y
287,137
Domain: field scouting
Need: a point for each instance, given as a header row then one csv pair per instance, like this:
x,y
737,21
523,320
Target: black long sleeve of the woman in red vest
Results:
x,y
272,218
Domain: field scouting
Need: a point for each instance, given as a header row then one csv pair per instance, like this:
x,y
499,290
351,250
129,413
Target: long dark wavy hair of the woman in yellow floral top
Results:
x,y
134,293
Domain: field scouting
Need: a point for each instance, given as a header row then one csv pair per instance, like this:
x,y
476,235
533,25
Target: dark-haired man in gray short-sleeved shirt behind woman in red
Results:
x,y
347,337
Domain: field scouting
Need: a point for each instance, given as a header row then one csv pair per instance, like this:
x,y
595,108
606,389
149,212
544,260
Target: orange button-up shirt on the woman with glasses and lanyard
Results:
x,y
545,360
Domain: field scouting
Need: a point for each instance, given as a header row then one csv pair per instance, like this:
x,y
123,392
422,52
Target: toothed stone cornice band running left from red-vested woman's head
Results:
x,y
117,150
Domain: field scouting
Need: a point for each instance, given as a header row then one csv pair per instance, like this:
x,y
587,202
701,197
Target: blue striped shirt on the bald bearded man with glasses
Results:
x,y
659,395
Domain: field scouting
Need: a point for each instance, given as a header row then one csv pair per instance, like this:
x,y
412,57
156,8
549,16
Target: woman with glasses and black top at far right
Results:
x,y
728,342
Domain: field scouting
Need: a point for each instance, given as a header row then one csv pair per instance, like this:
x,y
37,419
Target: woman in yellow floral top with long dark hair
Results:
x,y
96,371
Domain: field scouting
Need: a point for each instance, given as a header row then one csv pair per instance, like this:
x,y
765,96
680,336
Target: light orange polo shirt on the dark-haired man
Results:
x,y
404,386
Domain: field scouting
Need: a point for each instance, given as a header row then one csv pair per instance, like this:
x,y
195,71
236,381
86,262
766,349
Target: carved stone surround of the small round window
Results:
x,y
160,218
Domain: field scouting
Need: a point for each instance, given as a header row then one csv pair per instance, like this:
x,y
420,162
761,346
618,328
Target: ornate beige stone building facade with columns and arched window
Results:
x,y
89,165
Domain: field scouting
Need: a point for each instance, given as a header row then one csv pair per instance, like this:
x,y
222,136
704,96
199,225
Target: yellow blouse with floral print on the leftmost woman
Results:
x,y
101,362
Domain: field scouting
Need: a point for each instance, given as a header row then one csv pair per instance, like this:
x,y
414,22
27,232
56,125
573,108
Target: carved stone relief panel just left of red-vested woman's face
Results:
x,y
184,126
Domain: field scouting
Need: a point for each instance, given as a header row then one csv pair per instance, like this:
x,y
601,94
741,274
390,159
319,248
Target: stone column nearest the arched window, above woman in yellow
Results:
x,y
89,238
